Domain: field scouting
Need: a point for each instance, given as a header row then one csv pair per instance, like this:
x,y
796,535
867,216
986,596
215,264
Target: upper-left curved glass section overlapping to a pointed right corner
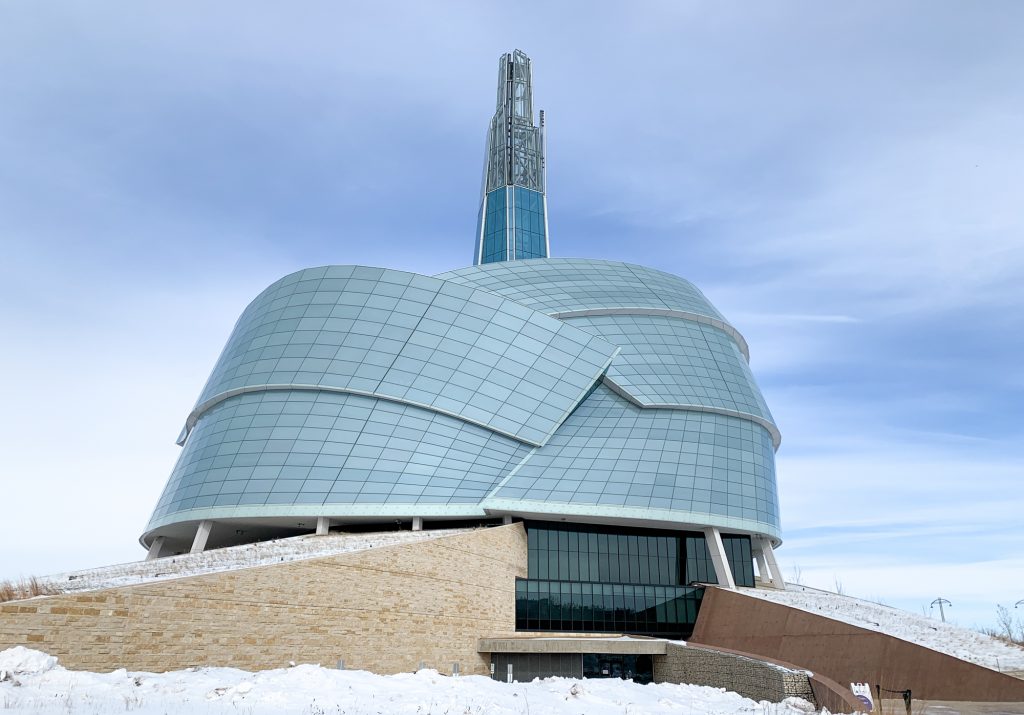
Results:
x,y
412,339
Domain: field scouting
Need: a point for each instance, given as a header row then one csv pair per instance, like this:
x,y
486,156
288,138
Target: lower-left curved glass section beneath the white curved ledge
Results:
x,y
282,449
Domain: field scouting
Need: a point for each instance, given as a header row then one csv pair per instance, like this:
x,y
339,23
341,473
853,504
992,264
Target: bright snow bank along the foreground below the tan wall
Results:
x,y
36,684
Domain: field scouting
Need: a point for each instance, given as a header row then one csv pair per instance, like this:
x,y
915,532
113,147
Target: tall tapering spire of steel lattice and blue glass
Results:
x,y
514,221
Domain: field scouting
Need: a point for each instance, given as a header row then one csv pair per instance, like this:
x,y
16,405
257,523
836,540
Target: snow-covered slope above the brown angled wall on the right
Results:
x,y
945,638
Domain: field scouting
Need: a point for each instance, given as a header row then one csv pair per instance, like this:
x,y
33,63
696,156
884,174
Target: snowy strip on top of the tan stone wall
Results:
x,y
266,553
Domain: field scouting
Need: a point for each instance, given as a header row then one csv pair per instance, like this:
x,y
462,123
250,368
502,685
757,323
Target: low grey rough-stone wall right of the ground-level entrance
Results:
x,y
749,678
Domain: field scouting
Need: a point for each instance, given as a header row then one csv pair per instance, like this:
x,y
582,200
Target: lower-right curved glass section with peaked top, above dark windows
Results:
x,y
614,456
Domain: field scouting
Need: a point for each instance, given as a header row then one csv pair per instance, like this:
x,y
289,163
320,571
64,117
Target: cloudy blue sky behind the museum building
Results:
x,y
844,182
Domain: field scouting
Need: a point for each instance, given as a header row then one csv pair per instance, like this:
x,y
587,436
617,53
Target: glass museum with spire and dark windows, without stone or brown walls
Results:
x,y
607,406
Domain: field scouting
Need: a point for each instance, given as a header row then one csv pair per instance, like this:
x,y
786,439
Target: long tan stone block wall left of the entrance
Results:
x,y
385,610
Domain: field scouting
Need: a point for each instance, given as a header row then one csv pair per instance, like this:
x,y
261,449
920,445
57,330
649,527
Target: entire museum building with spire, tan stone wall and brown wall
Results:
x,y
530,467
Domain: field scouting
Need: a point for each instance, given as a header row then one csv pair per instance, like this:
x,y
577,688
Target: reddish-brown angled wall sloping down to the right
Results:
x,y
844,653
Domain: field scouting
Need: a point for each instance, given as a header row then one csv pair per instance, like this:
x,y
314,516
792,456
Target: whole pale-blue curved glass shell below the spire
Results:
x,y
350,391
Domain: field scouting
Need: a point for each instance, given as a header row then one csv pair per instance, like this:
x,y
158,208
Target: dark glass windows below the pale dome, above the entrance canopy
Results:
x,y
600,579
